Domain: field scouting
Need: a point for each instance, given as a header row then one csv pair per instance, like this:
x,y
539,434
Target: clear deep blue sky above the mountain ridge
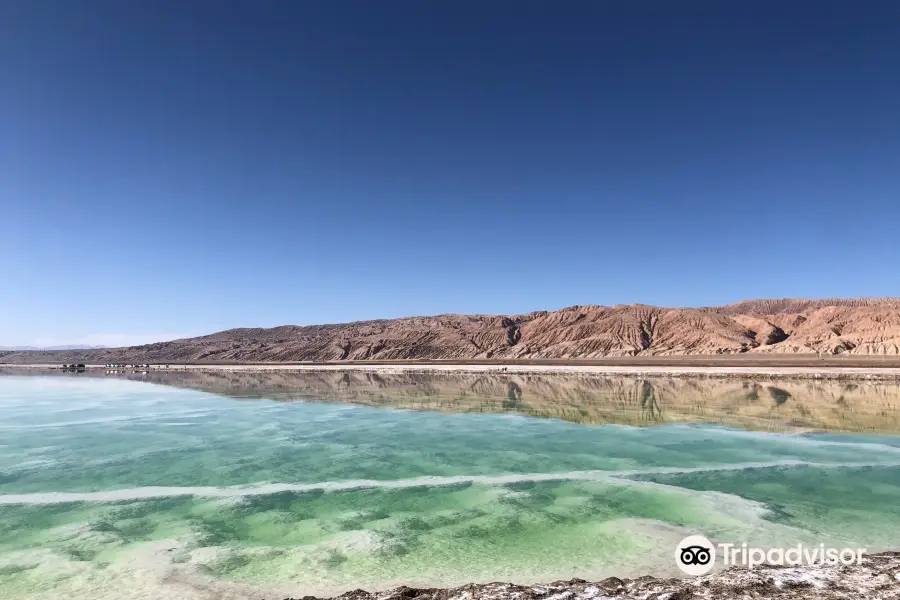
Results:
x,y
181,167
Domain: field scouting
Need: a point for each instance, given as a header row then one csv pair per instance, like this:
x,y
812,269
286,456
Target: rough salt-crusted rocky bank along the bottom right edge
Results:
x,y
878,577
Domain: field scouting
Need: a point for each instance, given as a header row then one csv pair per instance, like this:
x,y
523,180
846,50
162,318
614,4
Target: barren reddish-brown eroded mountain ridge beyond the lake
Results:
x,y
865,326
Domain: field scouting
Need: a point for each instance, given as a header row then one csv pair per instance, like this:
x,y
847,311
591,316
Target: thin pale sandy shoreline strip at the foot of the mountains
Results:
x,y
810,372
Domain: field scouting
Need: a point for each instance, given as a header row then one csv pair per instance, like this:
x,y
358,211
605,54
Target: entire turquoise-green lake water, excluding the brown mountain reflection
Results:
x,y
174,493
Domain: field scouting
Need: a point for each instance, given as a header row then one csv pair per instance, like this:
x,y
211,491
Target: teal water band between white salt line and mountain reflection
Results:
x,y
380,445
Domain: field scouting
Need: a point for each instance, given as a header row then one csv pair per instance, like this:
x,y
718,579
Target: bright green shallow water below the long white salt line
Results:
x,y
447,534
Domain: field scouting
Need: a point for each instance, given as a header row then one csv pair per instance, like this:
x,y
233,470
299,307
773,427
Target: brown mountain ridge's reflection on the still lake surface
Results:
x,y
762,404
